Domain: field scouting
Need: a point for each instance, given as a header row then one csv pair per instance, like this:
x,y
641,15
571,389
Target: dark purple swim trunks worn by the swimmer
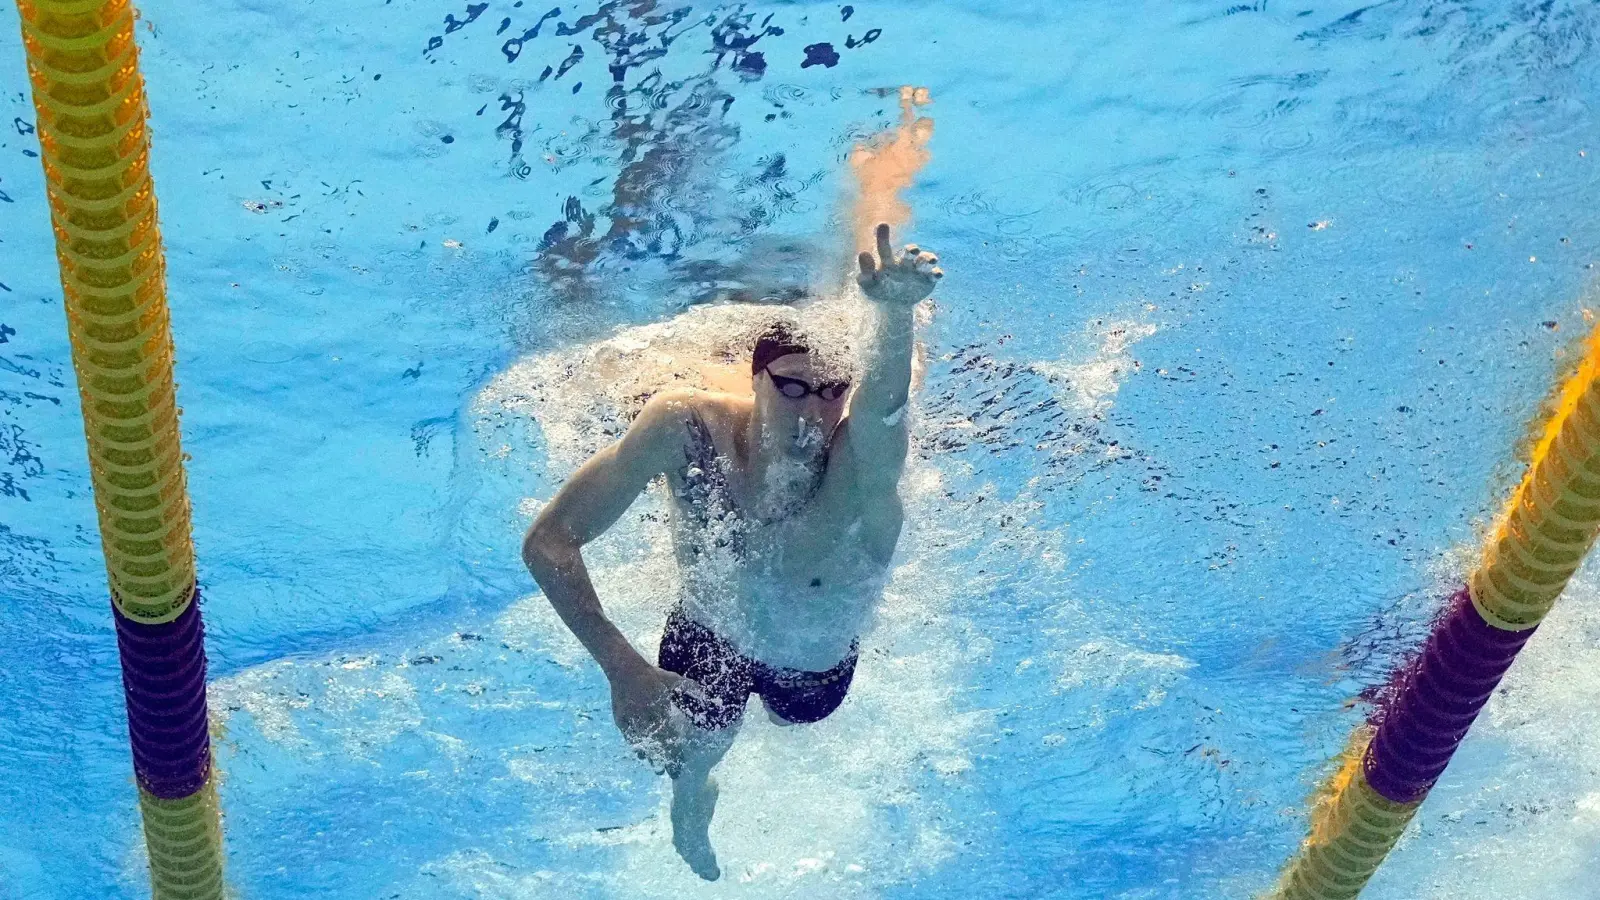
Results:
x,y
729,678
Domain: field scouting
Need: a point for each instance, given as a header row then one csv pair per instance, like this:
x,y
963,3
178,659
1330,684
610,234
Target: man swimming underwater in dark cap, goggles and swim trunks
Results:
x,y
785,518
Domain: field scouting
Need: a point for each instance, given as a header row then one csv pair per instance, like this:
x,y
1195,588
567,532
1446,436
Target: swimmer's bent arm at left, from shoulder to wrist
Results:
x,y
590,504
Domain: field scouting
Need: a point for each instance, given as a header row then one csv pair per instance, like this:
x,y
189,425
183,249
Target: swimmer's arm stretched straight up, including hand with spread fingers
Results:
x,y
876,432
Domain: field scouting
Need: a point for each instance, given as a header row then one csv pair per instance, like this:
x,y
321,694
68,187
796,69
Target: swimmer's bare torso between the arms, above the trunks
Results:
x,y
790,584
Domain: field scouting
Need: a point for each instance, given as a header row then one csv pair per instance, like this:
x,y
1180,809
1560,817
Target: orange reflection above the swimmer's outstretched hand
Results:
x,y
887,166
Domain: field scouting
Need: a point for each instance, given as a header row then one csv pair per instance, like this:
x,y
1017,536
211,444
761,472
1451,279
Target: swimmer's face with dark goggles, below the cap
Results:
x,y
799,404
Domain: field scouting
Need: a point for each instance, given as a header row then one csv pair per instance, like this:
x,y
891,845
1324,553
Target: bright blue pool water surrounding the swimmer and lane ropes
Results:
x,y
1249,308
